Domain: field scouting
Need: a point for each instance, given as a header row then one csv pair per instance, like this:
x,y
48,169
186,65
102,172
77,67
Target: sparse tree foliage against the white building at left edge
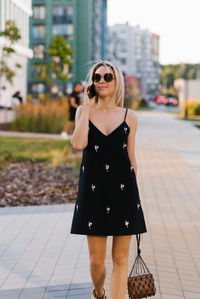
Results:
x,y
11,35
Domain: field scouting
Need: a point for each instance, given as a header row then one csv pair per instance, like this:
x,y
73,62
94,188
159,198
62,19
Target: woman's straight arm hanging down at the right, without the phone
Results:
x,y
132,116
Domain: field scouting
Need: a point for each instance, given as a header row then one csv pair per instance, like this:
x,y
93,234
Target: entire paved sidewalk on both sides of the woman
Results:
x,y
40,260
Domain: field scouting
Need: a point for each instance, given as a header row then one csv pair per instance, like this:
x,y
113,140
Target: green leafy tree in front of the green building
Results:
x,y
58,61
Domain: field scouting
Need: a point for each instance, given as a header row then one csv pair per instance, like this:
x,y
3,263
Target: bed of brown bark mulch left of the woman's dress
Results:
x,y
36,183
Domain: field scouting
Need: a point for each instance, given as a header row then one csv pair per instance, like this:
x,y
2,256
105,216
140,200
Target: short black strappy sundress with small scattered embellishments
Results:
x,y
108,201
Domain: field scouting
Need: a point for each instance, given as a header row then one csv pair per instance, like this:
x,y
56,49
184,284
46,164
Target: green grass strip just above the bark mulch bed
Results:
x,y
32,149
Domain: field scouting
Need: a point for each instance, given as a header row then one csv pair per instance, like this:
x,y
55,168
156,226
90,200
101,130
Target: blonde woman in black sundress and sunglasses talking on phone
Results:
x,y
108,202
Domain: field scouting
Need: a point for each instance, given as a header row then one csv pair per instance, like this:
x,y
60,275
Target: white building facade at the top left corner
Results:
x,y
18,11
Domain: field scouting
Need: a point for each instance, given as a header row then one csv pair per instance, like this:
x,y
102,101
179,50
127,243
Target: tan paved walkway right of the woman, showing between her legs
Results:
x,y
168,157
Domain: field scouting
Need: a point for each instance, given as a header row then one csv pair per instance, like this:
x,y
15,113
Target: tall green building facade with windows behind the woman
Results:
x,y
84,25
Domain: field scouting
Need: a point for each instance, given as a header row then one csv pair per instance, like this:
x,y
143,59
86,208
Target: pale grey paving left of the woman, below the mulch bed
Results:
x,y
39,259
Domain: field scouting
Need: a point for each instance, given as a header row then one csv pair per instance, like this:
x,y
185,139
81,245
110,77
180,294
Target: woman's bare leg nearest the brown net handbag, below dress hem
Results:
x,y
120,254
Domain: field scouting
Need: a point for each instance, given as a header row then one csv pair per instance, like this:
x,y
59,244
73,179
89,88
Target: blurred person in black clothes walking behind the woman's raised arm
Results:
x,y
74,102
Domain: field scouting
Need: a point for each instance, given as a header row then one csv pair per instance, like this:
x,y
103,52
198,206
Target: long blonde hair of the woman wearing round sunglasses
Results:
x,y
119,89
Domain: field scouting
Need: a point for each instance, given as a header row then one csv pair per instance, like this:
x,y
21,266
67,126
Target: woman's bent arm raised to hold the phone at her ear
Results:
x,y
79,138
